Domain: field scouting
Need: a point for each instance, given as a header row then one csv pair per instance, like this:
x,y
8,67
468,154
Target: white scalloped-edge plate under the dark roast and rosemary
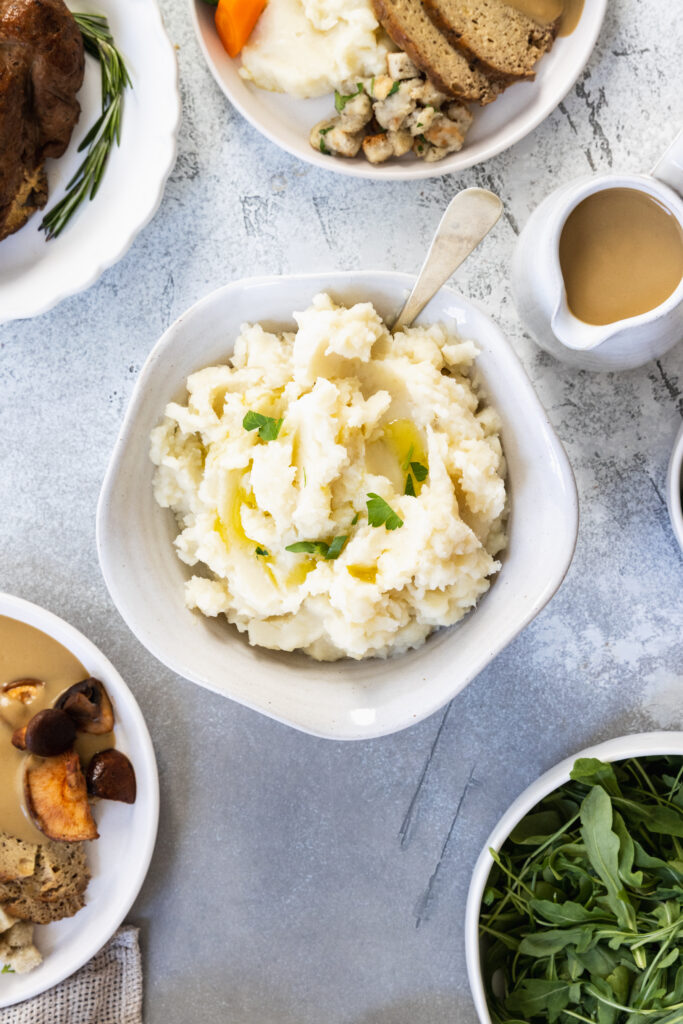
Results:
x,y
35,275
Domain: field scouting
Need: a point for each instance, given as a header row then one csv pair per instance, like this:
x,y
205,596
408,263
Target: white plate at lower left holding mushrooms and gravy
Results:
x,y
120,859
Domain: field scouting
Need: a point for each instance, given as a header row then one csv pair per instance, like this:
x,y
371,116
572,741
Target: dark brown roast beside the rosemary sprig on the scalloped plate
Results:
x,y
41,72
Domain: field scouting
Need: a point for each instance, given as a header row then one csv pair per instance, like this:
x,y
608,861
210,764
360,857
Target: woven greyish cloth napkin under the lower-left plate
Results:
x,y
107,991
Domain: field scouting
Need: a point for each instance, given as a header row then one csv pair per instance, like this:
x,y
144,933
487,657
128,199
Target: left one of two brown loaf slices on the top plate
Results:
x,y
413,31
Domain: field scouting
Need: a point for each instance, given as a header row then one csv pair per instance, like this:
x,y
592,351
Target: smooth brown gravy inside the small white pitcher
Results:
x,y
621,254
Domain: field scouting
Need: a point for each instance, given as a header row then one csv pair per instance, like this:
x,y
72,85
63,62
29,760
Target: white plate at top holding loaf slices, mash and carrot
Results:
x,y
288,121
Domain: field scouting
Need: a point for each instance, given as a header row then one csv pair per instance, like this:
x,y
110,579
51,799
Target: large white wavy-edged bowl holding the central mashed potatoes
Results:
x,y
346,700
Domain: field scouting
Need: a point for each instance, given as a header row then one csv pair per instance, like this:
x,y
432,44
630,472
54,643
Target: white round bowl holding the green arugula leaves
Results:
x,y
641,745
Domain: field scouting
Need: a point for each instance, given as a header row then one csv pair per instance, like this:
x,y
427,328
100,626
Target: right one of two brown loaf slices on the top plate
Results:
x,y
502,38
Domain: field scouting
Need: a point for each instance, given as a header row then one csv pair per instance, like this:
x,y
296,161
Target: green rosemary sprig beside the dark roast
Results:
x,y
98,41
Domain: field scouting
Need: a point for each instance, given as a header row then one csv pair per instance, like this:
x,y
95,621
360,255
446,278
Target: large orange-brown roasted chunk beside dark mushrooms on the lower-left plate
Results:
x,y
57,798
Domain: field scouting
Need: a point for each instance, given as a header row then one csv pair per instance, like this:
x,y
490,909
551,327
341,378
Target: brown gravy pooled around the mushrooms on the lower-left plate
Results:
x,y
27,653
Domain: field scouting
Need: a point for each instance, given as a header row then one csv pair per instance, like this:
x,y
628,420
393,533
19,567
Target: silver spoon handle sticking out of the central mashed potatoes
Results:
x,y
468,219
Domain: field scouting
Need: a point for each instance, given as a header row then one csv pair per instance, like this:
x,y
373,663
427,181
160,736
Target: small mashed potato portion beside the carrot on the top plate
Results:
x,y
311,48
